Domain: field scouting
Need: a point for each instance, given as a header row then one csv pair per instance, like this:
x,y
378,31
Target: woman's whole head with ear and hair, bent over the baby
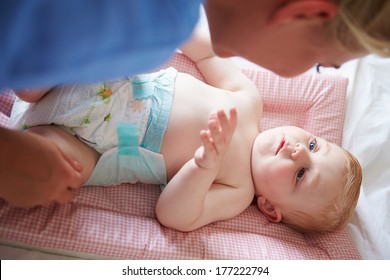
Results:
x,y
288,37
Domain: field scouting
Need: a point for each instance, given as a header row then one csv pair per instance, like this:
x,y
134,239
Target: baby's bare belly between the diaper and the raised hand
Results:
x,y
193,102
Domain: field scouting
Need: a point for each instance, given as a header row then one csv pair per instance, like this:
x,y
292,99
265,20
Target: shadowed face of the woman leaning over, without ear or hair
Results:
x,y
241,28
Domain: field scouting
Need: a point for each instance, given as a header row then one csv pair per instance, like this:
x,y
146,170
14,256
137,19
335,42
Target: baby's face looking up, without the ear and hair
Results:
x,y
296,170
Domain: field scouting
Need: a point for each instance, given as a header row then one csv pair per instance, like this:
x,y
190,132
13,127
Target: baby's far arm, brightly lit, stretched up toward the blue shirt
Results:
x,y
218,72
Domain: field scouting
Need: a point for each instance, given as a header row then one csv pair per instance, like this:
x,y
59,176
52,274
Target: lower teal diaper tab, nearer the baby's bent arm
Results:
x,y
127,139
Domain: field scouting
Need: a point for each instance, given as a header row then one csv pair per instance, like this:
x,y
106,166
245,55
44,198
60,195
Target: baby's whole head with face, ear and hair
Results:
x,y
304,181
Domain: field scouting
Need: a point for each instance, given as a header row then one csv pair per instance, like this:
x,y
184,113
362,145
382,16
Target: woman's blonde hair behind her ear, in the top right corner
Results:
x,y
362,25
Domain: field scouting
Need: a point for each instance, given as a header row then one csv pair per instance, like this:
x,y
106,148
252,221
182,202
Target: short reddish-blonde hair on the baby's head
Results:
x,y
339,211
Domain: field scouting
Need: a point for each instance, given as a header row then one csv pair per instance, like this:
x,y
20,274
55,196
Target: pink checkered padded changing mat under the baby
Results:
x,y
120,222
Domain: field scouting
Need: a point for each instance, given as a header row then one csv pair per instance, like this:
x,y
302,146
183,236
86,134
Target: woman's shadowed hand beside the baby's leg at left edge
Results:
x,y
34,171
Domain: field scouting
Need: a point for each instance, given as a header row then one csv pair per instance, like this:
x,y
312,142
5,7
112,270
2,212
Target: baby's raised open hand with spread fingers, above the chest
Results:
x,y
216,138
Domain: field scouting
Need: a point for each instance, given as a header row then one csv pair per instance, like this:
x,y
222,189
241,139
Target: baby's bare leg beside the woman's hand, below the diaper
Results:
x,y
70,145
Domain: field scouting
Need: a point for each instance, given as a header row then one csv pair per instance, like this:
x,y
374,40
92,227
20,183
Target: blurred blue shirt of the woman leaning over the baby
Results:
x,y
47,42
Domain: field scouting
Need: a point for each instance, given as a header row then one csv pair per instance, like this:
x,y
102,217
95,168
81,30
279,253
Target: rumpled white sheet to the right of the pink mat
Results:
x,y
367,136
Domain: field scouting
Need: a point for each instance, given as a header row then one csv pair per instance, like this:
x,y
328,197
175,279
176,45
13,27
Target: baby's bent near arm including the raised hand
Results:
x,y
192,198
